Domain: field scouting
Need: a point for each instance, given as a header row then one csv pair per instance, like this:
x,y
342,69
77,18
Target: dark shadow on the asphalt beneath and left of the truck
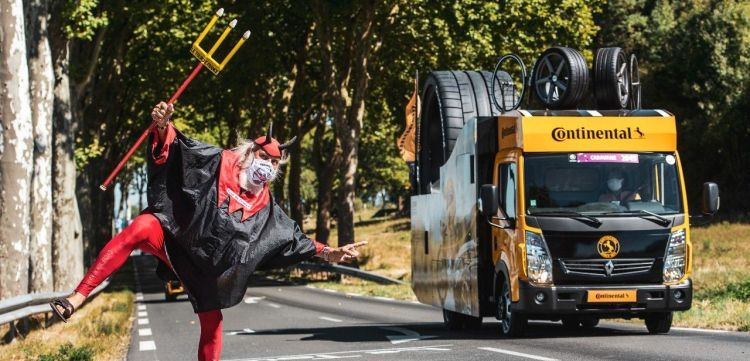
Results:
x,y
436,331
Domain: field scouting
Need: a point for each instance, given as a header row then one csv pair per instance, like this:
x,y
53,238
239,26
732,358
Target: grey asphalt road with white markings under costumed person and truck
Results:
x,y
288,322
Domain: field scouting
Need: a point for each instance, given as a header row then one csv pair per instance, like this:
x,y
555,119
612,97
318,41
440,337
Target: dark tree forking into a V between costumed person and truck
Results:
x,y
346,53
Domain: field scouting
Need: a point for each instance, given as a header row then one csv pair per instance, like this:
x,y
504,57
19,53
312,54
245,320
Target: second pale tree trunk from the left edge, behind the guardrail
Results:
x,y
42,82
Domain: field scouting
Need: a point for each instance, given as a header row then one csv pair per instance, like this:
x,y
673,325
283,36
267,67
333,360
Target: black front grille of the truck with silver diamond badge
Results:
x,y
607,267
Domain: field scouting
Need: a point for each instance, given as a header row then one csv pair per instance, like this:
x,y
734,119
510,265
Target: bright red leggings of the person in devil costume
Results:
x,y
145,233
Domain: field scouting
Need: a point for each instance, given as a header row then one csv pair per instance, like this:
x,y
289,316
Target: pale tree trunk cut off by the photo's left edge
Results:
x,y
15,151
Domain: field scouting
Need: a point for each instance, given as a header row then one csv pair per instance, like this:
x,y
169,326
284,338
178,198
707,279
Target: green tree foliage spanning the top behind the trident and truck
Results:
x,y
694,56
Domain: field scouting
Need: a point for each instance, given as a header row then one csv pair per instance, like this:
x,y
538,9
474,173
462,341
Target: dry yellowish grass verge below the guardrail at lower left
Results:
x,y
98,331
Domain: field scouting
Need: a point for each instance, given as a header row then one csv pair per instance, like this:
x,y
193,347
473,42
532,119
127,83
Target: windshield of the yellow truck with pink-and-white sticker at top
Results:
x,y
601,183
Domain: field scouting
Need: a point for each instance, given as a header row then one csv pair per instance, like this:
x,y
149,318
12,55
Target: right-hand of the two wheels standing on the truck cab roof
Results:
x,y
611,79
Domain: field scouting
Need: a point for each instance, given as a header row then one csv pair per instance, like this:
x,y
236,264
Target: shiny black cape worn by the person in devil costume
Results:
x,y
213,252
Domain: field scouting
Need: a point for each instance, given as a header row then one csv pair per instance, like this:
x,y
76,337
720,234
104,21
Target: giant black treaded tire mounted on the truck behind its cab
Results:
x,y
449,99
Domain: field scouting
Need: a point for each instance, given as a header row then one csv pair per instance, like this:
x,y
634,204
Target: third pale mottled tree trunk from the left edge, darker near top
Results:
x,y
67,242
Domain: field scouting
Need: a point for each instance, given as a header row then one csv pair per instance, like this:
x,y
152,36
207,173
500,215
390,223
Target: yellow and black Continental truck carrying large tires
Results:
x,y
555,214
